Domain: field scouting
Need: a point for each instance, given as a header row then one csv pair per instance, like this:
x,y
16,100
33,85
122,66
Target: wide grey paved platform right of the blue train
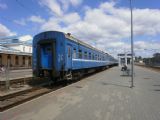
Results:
x,y
103,96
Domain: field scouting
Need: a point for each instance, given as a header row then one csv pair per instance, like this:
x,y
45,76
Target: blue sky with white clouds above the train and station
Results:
x,y
104,24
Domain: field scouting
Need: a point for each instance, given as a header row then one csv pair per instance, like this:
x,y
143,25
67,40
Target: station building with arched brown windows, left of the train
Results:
x,y
16,55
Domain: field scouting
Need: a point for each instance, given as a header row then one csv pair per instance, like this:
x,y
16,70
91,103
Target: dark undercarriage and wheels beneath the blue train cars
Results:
x,y
70,74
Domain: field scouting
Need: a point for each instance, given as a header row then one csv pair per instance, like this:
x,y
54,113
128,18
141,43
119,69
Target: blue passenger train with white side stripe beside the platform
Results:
x,y
61,56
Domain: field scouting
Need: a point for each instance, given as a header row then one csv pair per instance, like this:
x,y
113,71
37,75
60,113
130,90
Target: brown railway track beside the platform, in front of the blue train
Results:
x,y
11,100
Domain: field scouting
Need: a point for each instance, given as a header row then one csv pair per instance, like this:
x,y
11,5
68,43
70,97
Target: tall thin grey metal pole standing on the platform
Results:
x,y
132,47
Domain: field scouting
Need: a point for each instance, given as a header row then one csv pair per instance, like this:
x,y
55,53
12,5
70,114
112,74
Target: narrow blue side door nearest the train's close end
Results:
x,y
69,56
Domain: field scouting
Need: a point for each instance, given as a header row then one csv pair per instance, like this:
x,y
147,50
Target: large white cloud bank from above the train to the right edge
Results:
x,y
108,27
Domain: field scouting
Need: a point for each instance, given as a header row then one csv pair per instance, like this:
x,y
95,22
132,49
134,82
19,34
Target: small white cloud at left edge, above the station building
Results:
x,y
4,31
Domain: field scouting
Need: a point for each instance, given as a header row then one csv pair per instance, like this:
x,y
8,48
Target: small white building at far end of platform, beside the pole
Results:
x,y
124,59
